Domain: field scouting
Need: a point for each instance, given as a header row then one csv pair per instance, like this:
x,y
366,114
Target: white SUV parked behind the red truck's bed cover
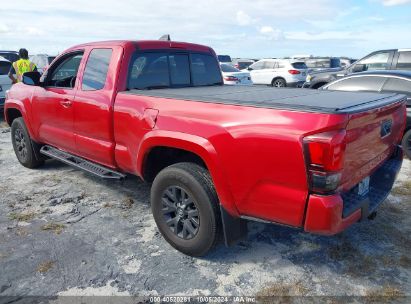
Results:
x,y
278,72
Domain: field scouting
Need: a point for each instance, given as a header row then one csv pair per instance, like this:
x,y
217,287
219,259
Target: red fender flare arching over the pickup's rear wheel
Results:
x,y
197,145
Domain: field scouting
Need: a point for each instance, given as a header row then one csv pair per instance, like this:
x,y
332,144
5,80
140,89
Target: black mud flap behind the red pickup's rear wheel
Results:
x,y
234,228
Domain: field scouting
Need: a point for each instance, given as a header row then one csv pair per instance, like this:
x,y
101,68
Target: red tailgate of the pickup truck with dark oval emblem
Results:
x,y
372,137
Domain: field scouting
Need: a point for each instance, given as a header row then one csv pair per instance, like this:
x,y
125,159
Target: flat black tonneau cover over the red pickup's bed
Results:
x,y
283,98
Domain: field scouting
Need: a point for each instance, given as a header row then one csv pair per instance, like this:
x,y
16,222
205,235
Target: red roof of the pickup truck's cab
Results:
x,y
147,44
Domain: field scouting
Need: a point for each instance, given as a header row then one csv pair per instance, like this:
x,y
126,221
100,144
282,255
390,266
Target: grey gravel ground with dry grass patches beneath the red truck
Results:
x,y
64,232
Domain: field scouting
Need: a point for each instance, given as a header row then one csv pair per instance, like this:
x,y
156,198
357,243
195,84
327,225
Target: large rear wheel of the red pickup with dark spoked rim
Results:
x,y
192,184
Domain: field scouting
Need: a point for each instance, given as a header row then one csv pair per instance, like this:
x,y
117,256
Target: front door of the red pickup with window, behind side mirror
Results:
x,y
53,102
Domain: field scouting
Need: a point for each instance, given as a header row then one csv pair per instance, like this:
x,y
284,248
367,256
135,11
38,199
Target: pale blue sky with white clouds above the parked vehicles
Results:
x,y
240,28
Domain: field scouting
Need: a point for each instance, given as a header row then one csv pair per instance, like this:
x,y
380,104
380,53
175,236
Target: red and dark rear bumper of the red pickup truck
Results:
x,y
331,214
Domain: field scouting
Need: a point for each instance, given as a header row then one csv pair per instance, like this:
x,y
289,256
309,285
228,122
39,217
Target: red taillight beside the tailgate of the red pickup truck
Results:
x,y
325,160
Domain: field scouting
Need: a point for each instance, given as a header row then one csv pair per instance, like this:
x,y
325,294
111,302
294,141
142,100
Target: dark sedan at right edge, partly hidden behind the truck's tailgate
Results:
x,y
383,82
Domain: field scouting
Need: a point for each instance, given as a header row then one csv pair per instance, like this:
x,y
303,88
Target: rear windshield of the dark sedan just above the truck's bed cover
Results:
x,y
366,83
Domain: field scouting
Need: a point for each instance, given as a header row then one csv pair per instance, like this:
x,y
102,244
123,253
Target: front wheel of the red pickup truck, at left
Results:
x,y
23,146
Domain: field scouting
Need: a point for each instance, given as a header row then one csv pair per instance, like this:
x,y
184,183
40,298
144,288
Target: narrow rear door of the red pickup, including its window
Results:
x,y
93,105
